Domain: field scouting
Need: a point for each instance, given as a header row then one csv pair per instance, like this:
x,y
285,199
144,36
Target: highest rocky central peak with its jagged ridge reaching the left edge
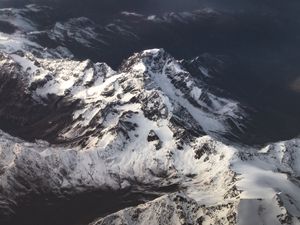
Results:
x,y
152,82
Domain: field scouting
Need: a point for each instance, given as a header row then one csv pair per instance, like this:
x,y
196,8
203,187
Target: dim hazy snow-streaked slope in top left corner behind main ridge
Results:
x,y
19,27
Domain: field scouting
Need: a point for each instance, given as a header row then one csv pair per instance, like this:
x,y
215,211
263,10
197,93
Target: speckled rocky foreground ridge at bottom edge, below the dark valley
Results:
x,y
173,209
